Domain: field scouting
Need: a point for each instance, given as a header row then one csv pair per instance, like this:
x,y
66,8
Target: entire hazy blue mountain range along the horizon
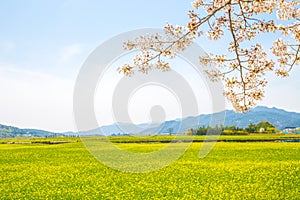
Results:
x,y
278,117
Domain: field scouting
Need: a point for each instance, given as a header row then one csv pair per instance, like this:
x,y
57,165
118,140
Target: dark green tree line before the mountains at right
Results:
x,y
262,127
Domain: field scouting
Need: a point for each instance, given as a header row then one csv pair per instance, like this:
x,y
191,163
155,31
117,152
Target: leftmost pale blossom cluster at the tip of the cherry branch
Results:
x,y
155,48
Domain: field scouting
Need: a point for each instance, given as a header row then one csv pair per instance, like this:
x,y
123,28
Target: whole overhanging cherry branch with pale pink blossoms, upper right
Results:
x,y
243,19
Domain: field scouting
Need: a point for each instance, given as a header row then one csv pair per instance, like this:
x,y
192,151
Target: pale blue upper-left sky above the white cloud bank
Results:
x,y
34,33
